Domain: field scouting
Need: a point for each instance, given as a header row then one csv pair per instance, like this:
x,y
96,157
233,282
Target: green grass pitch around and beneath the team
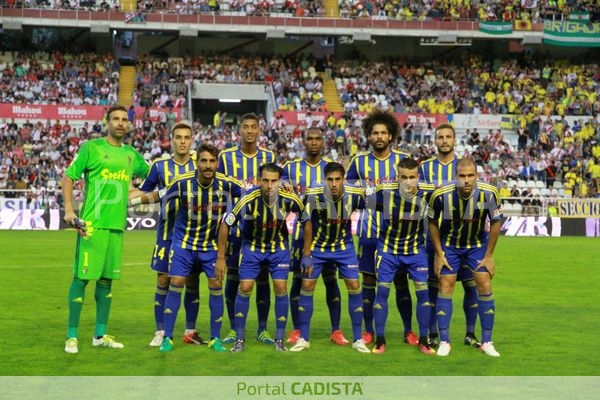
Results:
x,y
547,317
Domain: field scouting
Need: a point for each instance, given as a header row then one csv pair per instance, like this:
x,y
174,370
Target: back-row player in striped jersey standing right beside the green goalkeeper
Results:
x,y
162,172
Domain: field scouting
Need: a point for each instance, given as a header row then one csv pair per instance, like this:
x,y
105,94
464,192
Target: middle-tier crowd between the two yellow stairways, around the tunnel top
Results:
x,y
165,82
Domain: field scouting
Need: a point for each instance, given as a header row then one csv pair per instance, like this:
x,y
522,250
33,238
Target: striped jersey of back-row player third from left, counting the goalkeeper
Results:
x,y
234,163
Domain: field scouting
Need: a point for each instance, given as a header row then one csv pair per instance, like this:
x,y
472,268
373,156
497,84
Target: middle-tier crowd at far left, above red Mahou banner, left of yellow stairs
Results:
x,y
56,78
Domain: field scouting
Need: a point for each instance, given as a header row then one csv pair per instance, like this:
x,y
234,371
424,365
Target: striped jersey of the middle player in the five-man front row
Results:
x,y
332,220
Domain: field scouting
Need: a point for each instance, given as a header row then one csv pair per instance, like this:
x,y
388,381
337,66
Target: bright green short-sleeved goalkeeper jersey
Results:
x,y
107,171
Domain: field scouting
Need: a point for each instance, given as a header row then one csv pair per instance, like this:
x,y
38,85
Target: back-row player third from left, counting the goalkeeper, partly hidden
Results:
x,y
242,162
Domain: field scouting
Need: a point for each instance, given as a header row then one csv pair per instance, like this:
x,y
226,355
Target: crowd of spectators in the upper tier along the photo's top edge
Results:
x,y
408,10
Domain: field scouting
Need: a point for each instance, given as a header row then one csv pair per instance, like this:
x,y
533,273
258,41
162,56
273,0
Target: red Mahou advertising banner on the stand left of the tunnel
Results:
x,y
71,113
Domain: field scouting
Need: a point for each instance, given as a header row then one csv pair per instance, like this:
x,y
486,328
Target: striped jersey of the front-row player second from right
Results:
x,y
404,218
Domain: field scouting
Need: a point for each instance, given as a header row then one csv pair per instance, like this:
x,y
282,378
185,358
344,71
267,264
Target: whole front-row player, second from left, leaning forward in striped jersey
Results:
x,y
262,215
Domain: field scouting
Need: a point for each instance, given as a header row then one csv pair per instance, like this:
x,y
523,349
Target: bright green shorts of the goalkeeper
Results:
x,y
99,256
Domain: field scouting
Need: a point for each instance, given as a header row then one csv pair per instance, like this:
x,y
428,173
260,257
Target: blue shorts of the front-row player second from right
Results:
x,y
390,264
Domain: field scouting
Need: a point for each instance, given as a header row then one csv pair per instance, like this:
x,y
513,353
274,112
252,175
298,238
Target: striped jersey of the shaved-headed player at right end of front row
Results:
x,y
463,221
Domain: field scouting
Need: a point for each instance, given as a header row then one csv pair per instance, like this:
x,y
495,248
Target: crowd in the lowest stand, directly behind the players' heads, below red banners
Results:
x,y
33,156
